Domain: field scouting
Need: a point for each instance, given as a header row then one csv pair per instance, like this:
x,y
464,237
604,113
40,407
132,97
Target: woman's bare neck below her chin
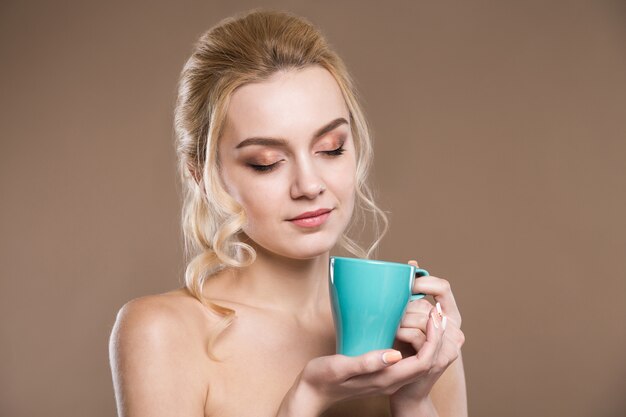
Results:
x,y
279,283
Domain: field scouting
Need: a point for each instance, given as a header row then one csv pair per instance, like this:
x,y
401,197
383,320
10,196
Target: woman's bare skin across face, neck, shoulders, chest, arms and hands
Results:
x,y
278,357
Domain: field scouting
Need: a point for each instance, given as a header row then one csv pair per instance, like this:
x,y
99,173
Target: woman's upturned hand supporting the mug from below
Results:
x,y
329,379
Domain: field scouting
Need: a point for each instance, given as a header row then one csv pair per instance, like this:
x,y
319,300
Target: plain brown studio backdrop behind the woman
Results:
x,y
500,151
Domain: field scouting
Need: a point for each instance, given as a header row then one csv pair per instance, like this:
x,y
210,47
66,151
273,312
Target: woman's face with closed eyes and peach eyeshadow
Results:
x,y
287,156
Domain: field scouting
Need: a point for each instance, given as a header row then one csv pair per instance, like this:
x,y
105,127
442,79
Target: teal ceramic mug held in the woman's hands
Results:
x,y
368,300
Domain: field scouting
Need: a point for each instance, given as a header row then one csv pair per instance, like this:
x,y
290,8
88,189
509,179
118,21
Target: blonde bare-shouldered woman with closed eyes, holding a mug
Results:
x,y
274,151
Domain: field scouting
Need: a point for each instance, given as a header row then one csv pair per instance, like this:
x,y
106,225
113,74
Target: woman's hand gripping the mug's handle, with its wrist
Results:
x,y
412,335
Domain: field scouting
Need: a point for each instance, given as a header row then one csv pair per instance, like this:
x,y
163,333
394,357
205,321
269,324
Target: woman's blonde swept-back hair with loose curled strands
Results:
x,y
240,50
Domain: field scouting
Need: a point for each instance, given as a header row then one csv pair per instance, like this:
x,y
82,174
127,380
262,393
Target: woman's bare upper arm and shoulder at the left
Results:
x,y
153,372
